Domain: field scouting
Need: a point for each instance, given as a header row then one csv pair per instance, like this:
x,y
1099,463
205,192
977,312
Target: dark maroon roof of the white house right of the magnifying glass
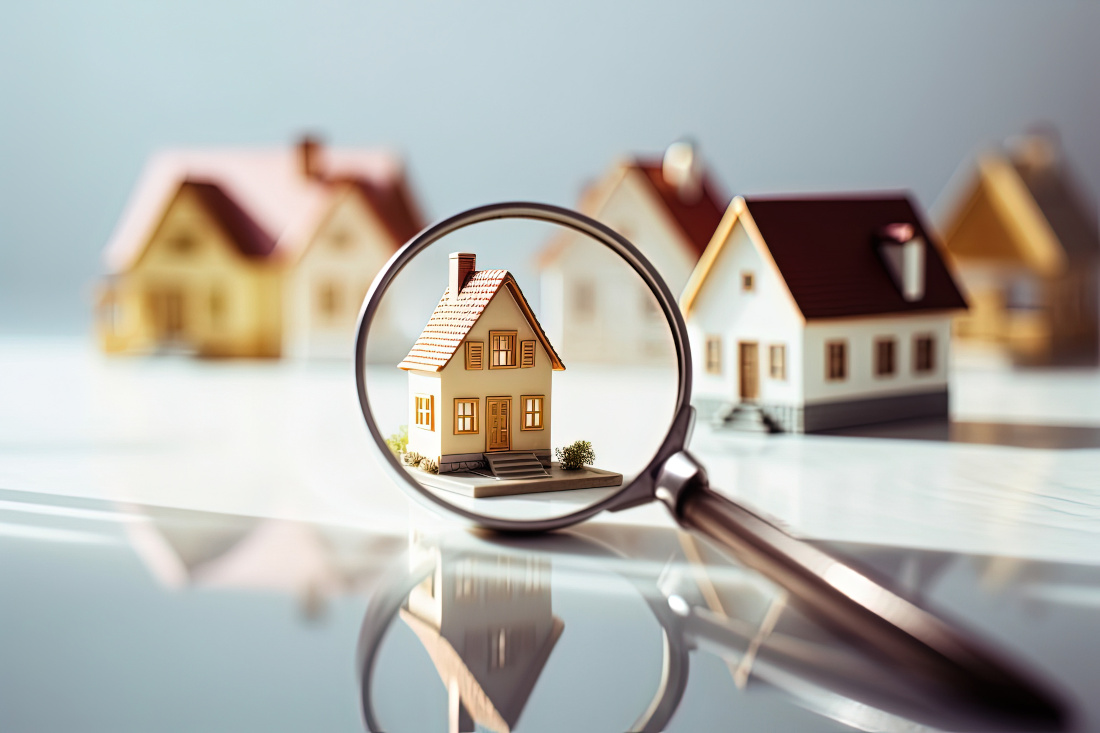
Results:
x,y
826,250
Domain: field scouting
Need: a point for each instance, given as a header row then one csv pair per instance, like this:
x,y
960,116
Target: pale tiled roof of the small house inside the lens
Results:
x,y
454,319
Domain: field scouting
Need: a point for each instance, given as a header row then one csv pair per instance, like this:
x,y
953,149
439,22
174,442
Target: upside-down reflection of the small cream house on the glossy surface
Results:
x,y
489,632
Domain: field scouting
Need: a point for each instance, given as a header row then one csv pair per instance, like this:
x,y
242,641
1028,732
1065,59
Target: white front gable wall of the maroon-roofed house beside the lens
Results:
x,y
766,316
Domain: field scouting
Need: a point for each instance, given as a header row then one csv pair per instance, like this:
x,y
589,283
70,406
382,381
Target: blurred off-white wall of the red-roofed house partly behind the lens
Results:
x,y
595,308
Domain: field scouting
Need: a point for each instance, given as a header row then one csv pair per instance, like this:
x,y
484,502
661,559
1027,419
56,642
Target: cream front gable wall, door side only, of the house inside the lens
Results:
x,y
502,314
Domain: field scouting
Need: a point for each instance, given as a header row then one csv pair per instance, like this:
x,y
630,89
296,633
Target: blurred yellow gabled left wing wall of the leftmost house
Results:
x,y
192,289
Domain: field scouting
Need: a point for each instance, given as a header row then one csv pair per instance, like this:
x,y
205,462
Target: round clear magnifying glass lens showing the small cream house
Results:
x,y
522,370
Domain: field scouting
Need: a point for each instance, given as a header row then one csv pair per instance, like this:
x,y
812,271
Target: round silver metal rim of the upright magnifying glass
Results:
x,y
643,488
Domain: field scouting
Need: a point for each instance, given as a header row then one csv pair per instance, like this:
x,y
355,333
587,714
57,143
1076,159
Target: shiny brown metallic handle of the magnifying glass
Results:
x,y
855,605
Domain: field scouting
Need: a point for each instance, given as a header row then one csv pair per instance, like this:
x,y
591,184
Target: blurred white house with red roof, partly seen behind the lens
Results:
x,y
597,310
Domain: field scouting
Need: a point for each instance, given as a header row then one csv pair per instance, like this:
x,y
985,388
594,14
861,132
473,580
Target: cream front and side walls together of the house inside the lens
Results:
x,y
456,381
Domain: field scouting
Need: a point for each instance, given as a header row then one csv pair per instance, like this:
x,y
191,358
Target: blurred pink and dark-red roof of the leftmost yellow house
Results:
x,y
268,189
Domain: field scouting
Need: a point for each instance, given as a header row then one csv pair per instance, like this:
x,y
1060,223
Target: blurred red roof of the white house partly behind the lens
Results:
x,y
696,218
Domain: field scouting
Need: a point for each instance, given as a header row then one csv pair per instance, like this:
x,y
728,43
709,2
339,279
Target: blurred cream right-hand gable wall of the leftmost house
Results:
x,y
348,250
